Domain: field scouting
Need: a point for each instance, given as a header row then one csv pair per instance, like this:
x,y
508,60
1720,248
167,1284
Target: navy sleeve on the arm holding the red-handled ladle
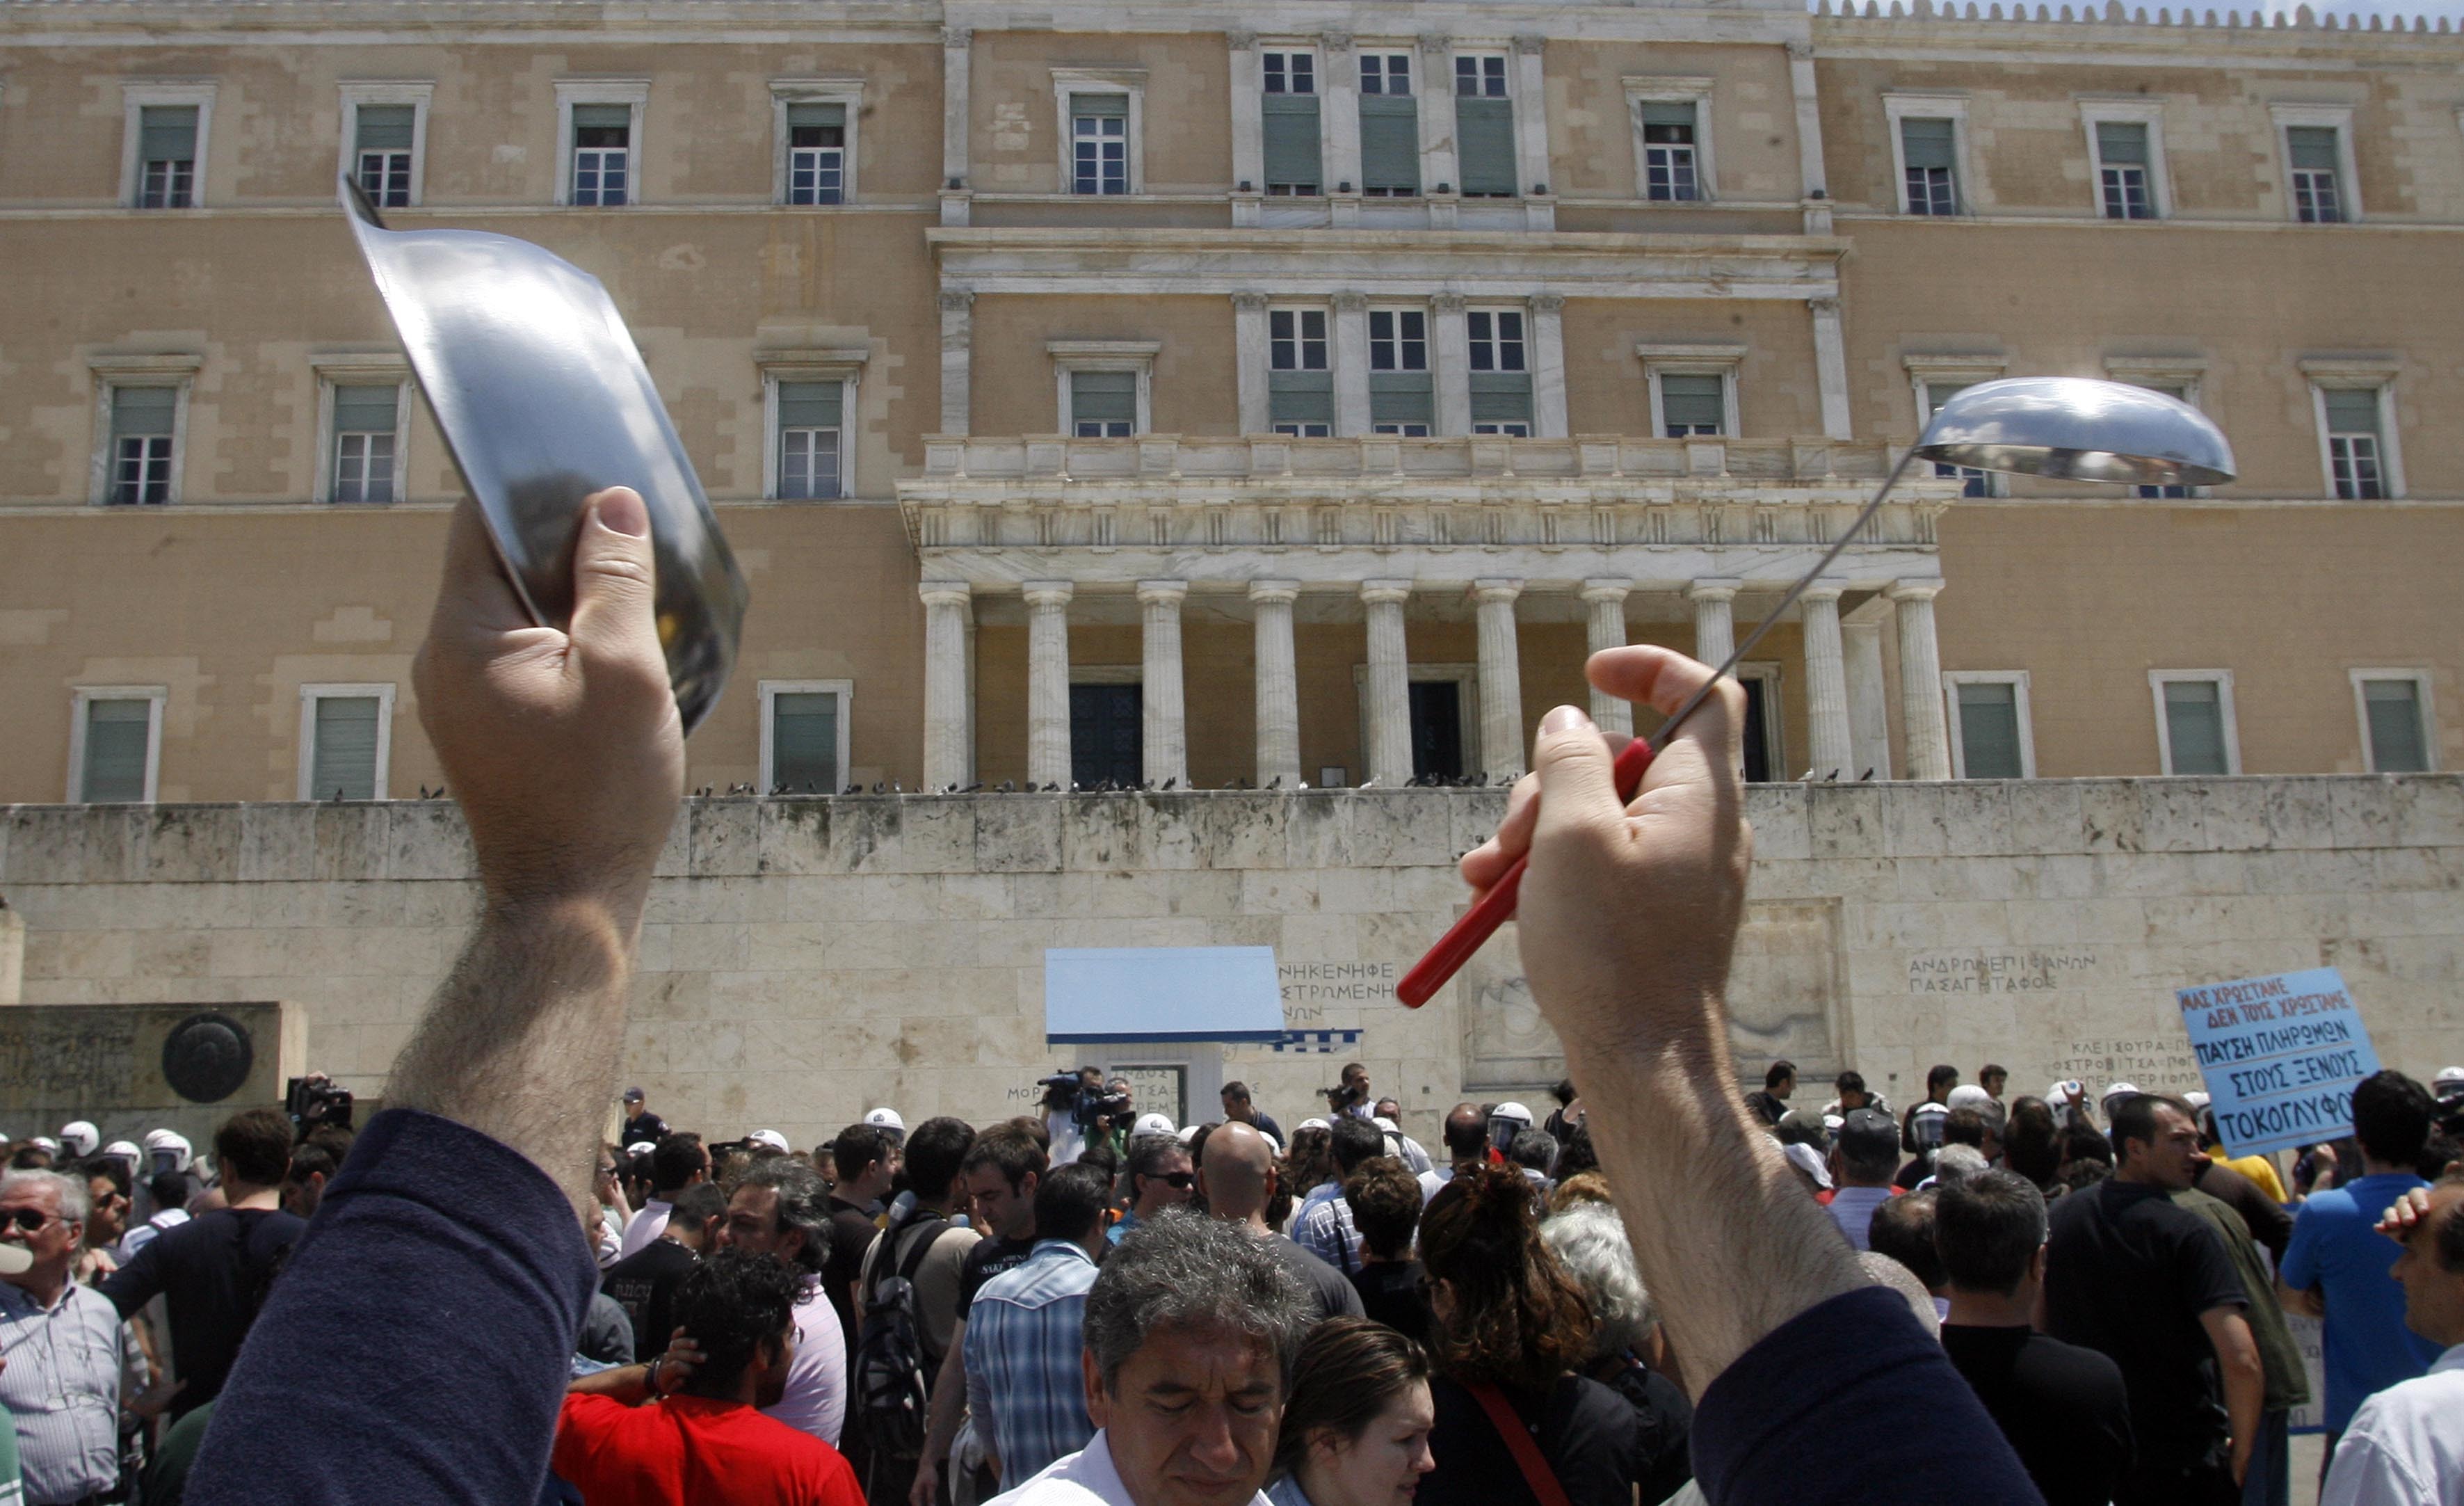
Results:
x,y
1849,1401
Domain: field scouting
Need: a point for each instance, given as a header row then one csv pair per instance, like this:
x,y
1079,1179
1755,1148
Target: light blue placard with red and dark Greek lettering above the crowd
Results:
x,y
2280,1059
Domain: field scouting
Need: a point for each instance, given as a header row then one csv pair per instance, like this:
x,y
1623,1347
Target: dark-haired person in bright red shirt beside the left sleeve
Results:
x,y
686,1428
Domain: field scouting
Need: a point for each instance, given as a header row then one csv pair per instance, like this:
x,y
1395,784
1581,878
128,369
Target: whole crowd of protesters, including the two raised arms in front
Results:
x,y
1660,1293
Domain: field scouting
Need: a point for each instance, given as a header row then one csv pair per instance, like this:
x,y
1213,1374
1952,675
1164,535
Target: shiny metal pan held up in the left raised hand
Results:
x,y
543,401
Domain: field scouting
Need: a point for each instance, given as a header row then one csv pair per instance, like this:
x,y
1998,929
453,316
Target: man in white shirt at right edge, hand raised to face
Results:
x,y
2406,1446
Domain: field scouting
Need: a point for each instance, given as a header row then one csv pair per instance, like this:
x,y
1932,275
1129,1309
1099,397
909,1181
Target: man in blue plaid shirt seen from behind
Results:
x,y
1026,1332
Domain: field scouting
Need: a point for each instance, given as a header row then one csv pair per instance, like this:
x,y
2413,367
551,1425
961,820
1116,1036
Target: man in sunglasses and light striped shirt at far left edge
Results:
x,y
68,1352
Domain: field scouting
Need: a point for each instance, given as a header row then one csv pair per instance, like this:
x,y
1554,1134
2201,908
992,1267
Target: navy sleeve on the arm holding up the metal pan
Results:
x,y
418,1345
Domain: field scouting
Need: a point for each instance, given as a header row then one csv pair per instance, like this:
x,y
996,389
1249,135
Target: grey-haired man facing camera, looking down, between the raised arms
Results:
x,y
1191,1330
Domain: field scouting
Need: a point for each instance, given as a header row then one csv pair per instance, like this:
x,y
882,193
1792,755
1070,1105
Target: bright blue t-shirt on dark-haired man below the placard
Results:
x,y
2337,1248
